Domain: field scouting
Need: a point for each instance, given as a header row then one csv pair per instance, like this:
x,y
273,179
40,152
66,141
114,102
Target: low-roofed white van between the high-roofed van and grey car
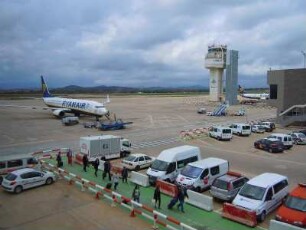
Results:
x,y
200,175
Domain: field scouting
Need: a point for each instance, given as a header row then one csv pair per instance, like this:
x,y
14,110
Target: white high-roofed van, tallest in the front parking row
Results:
x,y
170,162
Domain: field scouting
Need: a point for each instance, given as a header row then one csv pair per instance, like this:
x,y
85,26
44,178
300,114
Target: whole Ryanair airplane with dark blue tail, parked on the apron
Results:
x,y
60,105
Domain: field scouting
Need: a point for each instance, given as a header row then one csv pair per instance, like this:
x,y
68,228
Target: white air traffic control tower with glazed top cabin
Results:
x,y
215,61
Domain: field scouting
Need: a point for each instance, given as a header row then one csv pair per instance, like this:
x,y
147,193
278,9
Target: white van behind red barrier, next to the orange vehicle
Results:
x,y
263,194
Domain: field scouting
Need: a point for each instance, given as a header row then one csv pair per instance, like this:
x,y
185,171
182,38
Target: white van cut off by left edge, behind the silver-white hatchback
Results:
x,y
11,163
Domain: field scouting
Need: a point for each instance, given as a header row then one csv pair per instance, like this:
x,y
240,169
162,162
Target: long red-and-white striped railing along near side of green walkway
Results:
x,y
116,198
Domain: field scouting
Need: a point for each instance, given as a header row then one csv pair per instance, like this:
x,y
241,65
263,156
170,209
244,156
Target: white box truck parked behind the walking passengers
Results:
x,y
103,147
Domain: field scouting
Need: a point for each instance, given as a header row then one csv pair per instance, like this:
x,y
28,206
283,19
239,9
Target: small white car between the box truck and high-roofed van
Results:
x,y
137,161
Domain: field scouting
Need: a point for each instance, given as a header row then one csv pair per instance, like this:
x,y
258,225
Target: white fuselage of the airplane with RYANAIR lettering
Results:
x,y
76,105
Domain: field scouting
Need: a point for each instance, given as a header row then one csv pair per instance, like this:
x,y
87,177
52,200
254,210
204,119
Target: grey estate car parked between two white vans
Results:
x,y
227,186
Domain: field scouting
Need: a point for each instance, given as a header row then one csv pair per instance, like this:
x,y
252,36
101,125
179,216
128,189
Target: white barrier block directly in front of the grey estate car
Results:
x,y
200,200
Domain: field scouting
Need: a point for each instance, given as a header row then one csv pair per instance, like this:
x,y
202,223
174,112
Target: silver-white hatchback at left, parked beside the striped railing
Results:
x,y
26,178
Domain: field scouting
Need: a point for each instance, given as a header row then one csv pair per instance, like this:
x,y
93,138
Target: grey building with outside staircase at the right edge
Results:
x,y
288,95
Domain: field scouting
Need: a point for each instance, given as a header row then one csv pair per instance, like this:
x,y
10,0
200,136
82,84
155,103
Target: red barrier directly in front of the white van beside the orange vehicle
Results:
x,y
240,215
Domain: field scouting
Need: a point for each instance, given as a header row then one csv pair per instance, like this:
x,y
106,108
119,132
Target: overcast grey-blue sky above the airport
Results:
x,y
144,43
